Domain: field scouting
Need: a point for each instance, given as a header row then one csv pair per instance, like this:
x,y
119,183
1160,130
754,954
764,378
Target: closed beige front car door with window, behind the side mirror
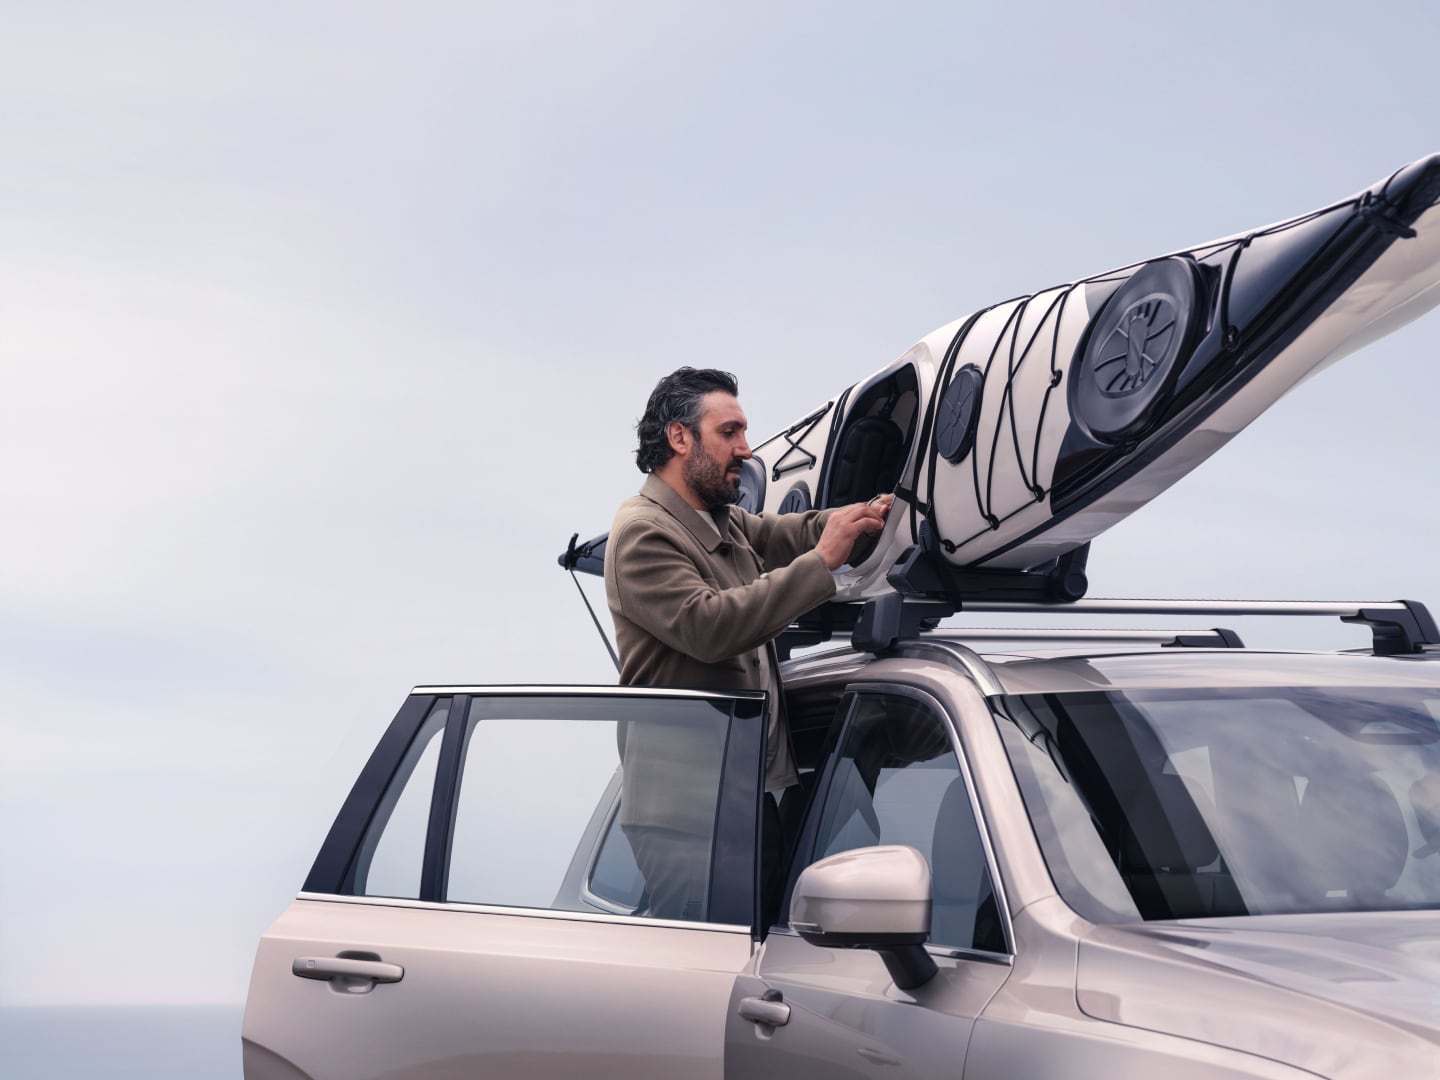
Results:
x,y
895,777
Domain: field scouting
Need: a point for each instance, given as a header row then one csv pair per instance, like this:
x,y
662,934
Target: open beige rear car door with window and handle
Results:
x,y
489,904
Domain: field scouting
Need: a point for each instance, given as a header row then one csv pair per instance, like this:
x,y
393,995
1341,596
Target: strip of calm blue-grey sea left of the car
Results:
x,y
122,1043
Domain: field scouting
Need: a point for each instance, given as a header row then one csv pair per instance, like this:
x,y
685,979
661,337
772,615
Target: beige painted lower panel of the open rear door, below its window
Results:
x,y
495,996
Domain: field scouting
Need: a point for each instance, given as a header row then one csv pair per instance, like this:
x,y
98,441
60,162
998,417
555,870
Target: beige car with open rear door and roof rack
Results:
x,y
1013,853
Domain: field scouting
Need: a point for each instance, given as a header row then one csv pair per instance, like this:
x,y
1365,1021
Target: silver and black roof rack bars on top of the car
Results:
x,y
878,626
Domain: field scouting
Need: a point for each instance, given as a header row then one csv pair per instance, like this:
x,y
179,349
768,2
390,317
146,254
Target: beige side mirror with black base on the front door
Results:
x,y
870,899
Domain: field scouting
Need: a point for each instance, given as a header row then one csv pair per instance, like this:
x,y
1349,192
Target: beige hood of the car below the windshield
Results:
x,y
1340,994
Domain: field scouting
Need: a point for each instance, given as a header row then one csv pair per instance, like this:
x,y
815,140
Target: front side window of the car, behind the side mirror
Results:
x,y
896,781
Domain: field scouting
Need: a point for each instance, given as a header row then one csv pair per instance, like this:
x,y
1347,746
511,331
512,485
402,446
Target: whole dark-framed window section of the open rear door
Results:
x,y
595,801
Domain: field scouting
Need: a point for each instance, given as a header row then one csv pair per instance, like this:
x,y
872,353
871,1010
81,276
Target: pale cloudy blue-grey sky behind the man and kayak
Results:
x,y
325,326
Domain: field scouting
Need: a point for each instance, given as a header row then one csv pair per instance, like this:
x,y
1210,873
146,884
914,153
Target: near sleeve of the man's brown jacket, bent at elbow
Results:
x,y
662,590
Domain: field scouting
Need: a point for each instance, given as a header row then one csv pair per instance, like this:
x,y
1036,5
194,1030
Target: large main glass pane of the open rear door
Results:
x,y
539,806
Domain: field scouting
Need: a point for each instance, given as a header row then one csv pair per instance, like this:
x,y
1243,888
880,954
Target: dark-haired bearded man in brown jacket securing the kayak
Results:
x,y
699,590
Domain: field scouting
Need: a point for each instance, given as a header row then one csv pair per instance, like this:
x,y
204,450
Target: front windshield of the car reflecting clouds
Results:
x,y
1174,804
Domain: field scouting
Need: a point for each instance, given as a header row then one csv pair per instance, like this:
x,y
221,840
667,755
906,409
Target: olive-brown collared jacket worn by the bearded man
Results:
x,y
698,608
